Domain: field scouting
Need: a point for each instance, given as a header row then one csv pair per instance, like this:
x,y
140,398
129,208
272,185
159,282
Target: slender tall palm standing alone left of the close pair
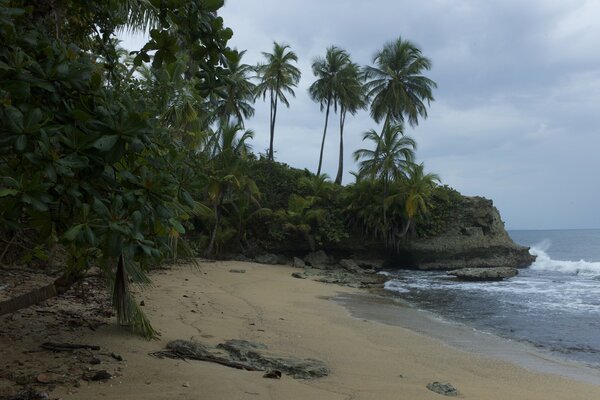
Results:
x,y
277,77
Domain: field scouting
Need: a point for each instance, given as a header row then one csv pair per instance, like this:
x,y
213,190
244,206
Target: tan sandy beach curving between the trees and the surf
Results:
x,y
368,359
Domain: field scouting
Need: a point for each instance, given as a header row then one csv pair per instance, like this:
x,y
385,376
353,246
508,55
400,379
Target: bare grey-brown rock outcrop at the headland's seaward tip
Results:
x,y
475,238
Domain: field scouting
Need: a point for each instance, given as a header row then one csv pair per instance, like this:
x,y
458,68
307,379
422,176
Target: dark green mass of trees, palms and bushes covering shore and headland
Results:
x,y
115,159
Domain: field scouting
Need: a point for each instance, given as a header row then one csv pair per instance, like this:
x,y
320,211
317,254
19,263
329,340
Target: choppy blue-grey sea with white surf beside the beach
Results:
x,y
553,305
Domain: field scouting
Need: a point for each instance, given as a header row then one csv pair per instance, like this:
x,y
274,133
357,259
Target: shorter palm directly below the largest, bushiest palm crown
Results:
x,y
393,154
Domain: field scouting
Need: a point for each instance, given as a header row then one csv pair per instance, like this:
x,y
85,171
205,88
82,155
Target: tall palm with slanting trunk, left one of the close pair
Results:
x,y
325,90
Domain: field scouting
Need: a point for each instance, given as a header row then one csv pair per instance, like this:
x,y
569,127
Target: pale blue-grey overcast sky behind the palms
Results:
x,y
516,115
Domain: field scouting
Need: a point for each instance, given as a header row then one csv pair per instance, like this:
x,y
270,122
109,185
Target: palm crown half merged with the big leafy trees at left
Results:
x,y
237,93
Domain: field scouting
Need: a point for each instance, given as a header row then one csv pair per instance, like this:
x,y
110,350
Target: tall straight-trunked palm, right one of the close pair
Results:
x,y
351,97
